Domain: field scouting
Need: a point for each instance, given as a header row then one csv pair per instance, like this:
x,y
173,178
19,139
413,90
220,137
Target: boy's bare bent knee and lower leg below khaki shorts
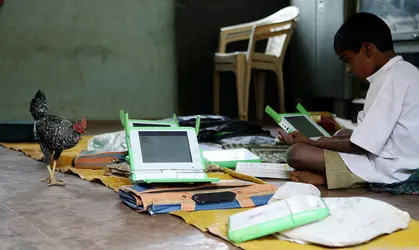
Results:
x,y
308,162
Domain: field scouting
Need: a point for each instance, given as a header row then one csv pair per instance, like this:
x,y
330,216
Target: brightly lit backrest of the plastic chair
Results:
x,y
278,44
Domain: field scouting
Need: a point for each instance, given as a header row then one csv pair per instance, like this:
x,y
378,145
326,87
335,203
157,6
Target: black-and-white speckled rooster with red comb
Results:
x,y
54,134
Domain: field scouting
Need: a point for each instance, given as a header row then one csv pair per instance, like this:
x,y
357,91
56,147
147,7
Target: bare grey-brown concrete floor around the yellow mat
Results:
x,y
85,215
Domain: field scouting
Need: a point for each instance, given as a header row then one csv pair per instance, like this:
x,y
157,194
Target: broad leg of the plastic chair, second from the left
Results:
x,y
241,88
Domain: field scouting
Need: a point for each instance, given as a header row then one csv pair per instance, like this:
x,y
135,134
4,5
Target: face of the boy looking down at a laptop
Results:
x,y
360,65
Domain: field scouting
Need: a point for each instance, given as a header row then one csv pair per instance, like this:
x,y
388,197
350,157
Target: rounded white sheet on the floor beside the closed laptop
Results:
x,y
352,221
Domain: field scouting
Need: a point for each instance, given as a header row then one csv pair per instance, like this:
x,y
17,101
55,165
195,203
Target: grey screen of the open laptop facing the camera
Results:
x,y
165,146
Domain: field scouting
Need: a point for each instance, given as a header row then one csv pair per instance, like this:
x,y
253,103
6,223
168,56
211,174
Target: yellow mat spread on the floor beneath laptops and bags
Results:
x,y
213,221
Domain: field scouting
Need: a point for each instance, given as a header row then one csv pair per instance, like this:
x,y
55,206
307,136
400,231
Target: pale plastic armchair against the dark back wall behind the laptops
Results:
x,y
278,29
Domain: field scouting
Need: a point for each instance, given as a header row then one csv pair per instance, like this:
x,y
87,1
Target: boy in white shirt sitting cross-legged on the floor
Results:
x,y
384,147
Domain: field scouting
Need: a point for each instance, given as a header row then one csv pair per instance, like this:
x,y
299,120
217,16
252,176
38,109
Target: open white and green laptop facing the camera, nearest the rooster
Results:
x,y
165,154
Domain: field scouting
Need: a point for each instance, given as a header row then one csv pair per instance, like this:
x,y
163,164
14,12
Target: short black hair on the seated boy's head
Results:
x,y
363,27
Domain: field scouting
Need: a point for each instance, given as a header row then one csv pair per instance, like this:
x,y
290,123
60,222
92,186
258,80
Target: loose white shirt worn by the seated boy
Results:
x,y
388,126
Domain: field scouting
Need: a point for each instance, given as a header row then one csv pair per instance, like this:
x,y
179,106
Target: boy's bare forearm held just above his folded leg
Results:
x,y
339,145
